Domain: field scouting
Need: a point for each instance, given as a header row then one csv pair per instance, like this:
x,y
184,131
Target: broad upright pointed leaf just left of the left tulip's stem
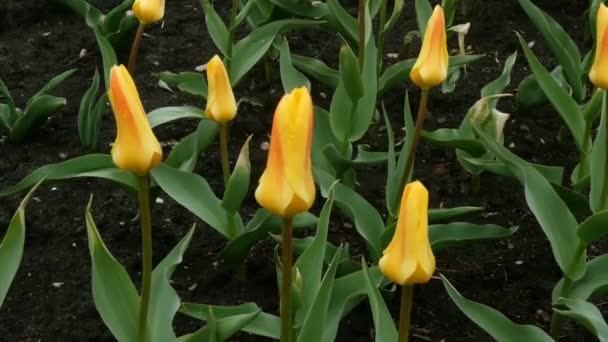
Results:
x,y
114,294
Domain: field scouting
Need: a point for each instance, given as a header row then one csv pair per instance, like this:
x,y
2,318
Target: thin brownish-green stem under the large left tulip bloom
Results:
x,y
146,255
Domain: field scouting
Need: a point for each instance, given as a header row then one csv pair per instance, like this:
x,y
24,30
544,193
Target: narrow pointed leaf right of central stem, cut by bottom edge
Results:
x,y
314,323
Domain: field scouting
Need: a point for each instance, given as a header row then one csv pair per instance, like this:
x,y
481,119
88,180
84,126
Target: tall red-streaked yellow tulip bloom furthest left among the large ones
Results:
x,y
136,149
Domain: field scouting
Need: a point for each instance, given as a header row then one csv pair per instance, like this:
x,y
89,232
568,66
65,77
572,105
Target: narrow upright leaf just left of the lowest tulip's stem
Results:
x,y
383,322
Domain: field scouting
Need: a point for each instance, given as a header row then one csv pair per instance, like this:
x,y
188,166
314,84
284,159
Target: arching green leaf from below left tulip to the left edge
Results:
x,y
91,165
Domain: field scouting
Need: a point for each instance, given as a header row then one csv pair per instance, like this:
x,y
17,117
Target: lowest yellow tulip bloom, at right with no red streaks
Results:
x,y
408,259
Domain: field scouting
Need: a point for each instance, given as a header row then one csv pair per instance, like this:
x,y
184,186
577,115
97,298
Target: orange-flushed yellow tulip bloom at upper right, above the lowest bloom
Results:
x,y
431,67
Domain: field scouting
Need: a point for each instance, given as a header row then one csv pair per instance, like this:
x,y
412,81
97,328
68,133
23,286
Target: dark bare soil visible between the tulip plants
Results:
x,y
50,299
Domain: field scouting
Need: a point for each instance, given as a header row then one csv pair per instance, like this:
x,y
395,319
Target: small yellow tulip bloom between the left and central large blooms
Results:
x,y
221,106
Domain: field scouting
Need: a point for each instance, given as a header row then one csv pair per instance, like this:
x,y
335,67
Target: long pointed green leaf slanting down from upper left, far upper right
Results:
x,y
563,103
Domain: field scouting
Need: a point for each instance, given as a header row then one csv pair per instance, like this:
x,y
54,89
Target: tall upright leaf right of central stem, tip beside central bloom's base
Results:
x,y
310,262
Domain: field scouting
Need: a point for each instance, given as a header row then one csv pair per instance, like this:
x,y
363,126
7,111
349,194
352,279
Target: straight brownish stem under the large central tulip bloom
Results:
x,y
286,265
